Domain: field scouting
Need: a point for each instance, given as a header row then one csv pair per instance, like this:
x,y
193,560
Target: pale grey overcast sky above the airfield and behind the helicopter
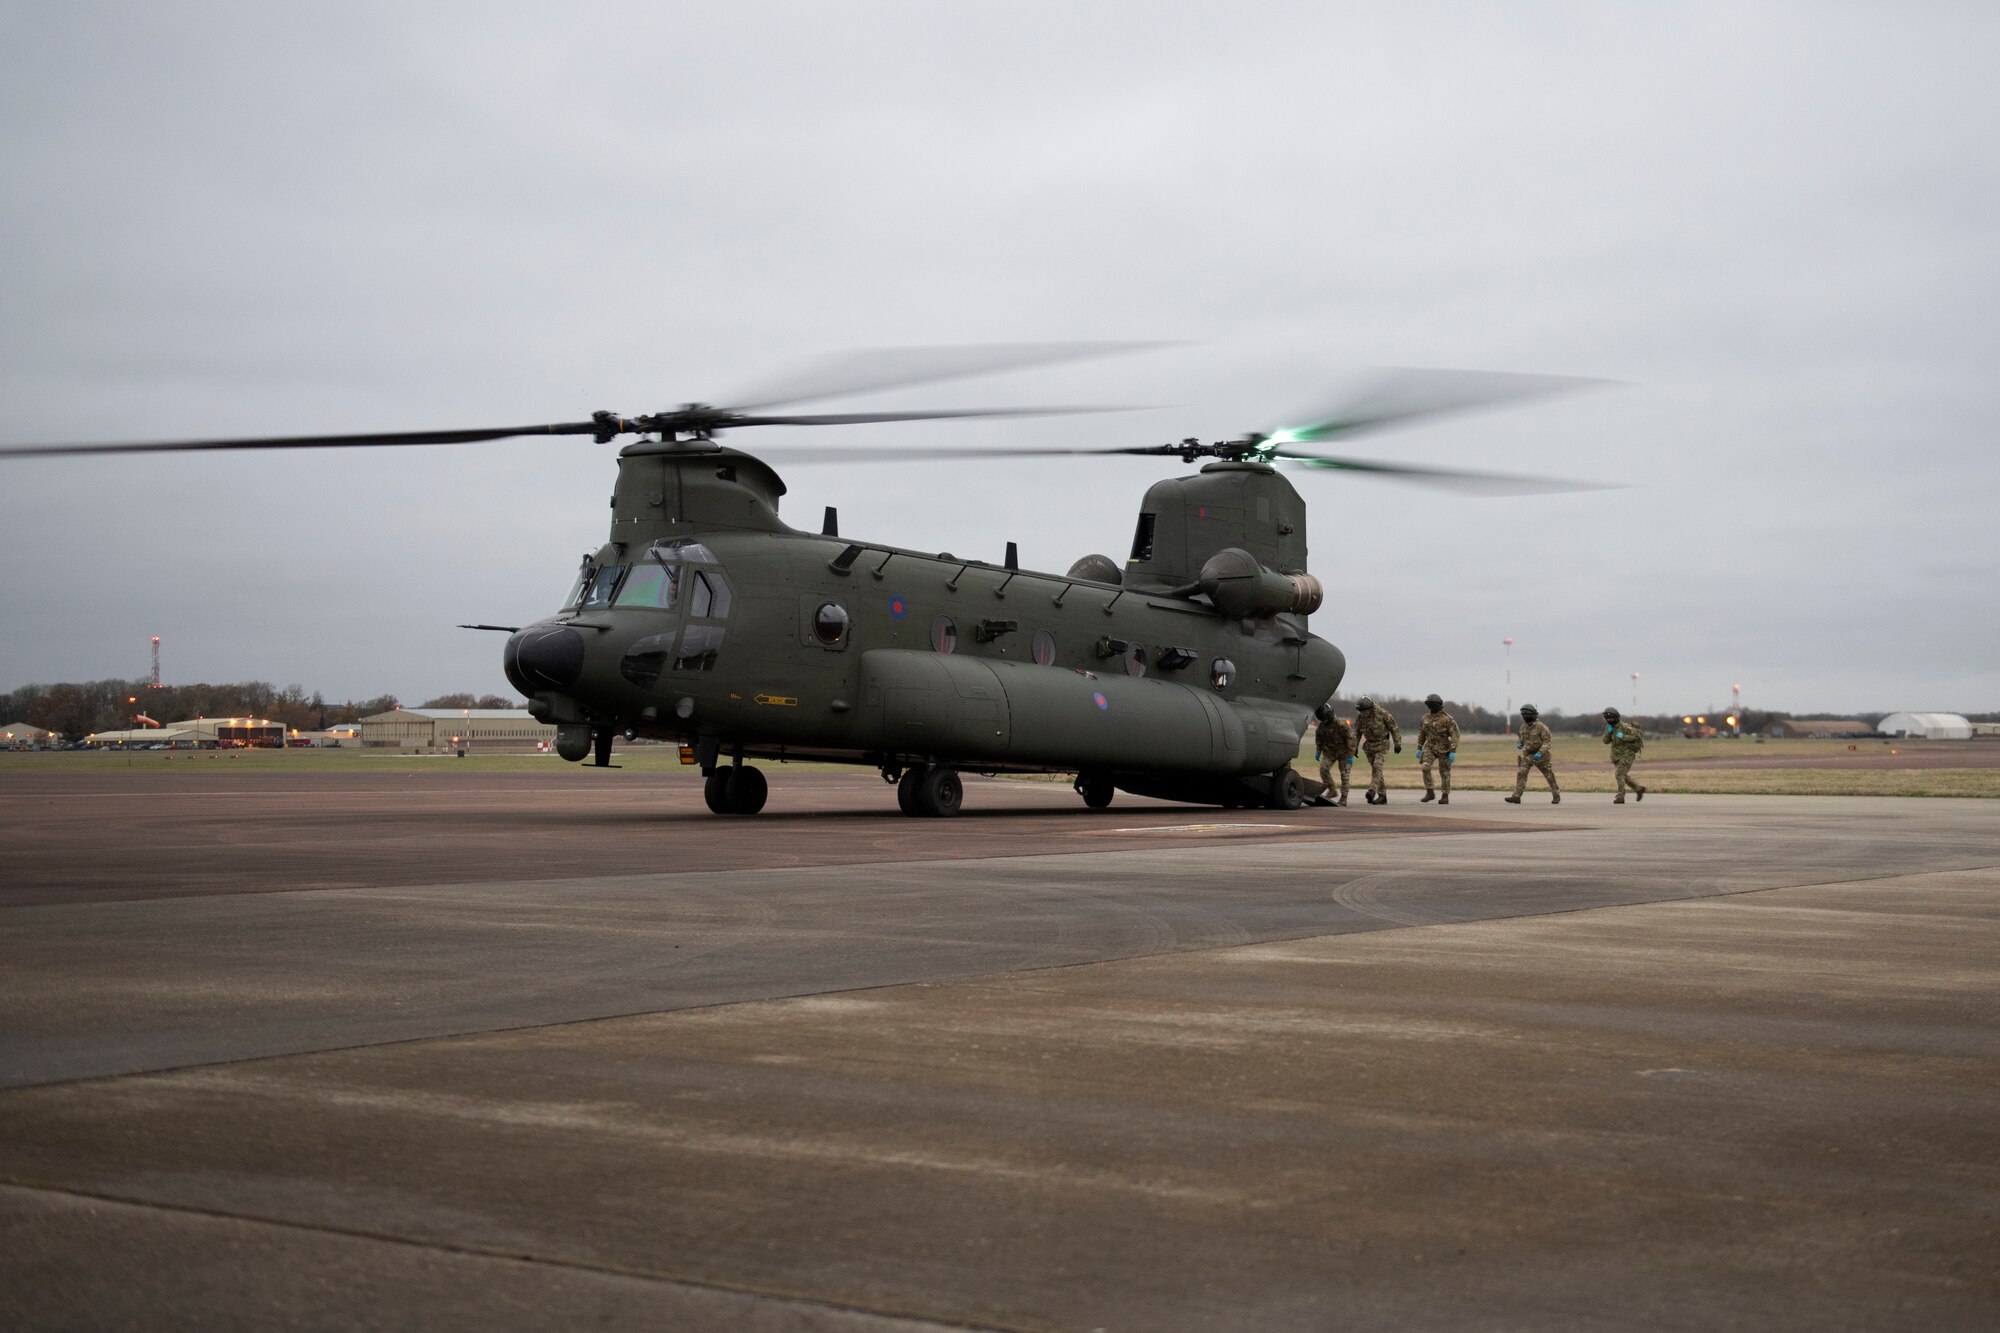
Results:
x,y
1777,223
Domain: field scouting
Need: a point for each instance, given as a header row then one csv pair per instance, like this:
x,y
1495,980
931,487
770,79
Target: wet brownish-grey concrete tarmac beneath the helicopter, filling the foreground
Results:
x,y
579,1054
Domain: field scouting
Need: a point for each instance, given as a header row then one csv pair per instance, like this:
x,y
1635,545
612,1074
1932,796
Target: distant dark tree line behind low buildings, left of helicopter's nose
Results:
x,y
77,710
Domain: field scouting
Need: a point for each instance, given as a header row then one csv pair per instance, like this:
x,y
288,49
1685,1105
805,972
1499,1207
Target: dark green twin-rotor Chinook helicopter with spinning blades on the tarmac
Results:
x,y
1187,674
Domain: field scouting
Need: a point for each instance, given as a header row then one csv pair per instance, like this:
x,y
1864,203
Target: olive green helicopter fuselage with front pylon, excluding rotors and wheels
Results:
x,y
743,637
